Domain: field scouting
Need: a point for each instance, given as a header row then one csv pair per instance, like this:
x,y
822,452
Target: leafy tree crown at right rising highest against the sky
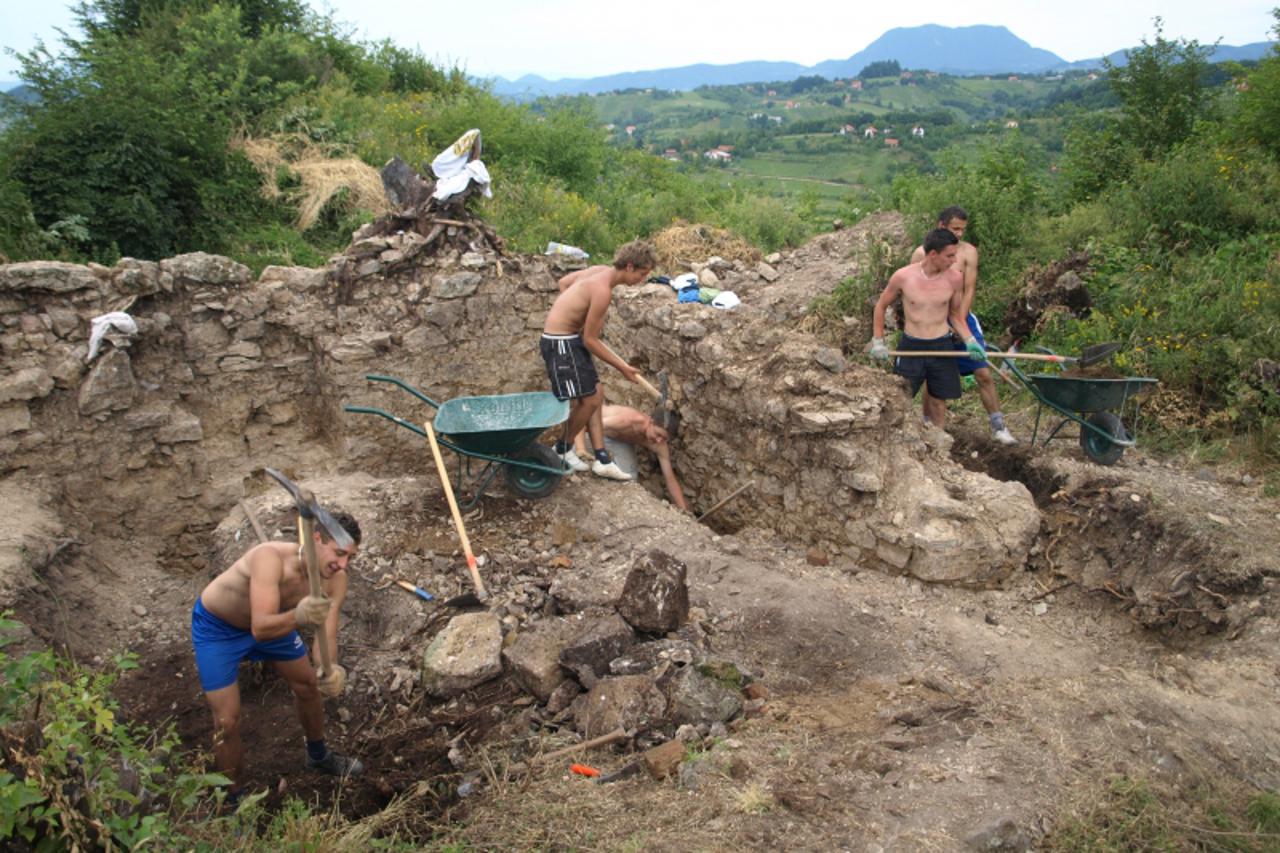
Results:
x,y
1162,92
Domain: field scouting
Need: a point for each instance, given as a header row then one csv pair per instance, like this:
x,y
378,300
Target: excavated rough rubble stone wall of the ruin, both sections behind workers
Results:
x,y
161,435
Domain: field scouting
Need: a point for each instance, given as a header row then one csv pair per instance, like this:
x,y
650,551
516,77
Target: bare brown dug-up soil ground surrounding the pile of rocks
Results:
x,y
1141,640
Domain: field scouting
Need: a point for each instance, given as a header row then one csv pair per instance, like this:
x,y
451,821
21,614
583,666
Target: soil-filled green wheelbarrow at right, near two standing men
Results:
x,y
1096,405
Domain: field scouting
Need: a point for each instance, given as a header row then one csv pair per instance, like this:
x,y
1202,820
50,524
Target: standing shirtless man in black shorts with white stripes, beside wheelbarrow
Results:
x,y
572,336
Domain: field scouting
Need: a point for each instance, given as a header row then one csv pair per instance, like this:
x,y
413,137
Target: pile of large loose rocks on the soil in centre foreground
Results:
x,y
642,667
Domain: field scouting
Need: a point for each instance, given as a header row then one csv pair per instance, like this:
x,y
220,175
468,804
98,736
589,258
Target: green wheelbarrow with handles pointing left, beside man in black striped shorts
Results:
x,y
501,430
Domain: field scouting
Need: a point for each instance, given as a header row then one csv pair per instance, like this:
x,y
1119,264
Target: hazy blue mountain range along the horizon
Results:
x,y
952,51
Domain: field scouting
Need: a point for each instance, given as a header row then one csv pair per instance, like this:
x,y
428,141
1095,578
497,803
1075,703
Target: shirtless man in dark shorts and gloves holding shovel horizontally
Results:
x,y
932,294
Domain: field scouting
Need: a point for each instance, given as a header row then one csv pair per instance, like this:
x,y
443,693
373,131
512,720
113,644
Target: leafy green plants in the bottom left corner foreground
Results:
x,y
74,776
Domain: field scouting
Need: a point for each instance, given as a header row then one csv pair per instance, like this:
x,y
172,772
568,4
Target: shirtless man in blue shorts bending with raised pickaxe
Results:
x,y
254,612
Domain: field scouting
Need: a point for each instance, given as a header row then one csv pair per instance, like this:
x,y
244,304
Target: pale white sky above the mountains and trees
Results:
x,y
557,39
